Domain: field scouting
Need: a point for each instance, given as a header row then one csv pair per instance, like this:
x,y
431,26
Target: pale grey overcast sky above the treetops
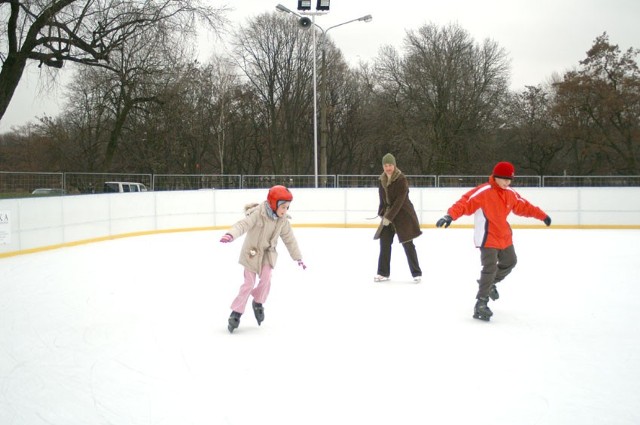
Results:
x,y
541,38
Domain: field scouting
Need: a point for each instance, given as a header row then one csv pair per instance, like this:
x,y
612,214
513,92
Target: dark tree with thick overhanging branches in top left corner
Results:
x,y
86,32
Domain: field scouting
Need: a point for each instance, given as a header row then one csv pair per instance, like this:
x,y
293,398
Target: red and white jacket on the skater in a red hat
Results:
x,y
491,205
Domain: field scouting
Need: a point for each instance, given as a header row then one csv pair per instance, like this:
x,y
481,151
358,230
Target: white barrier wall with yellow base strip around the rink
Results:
x,y
33,224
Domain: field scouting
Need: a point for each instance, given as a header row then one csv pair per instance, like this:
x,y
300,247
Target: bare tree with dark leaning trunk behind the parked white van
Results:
x,y
103,111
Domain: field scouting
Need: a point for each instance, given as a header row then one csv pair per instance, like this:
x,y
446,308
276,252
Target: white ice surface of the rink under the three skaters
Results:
x,y
133,331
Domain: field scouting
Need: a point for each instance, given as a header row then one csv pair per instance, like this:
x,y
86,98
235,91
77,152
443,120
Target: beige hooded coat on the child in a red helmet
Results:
x,y
263,232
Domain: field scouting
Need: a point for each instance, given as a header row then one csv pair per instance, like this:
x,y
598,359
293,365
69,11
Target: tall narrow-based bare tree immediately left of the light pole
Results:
x,y
276,57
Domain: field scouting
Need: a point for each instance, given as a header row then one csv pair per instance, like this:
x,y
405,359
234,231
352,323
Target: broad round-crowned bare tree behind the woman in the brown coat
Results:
x,y
444,91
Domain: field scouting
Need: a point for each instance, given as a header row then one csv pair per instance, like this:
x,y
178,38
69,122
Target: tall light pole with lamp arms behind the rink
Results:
x,y
307,23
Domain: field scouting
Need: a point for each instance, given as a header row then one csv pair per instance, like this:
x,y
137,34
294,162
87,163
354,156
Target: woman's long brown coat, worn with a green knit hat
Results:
x,y
396,206
